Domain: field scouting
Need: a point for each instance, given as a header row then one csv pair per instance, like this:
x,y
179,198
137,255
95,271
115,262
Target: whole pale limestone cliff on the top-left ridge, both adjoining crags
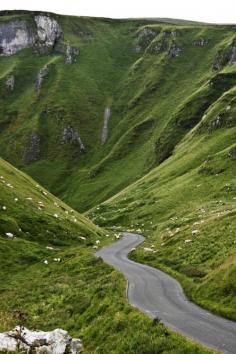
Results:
x,y
17,35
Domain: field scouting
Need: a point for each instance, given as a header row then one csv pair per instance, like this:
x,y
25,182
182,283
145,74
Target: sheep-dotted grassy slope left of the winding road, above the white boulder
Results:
x,y
50,278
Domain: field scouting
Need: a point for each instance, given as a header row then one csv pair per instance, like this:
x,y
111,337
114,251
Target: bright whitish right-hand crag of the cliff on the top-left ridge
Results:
x,y
48,31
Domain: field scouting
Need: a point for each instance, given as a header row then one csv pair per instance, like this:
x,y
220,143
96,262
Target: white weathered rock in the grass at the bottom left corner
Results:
x,y
23,340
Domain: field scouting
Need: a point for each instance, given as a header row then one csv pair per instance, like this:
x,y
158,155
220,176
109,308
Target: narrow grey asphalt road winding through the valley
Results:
x,y
158,295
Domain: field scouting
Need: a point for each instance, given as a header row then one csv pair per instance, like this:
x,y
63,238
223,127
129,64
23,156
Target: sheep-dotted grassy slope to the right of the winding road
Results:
x,y
187,209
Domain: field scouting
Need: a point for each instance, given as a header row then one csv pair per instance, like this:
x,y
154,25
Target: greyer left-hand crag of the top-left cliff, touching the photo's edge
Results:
x,y
14,36
